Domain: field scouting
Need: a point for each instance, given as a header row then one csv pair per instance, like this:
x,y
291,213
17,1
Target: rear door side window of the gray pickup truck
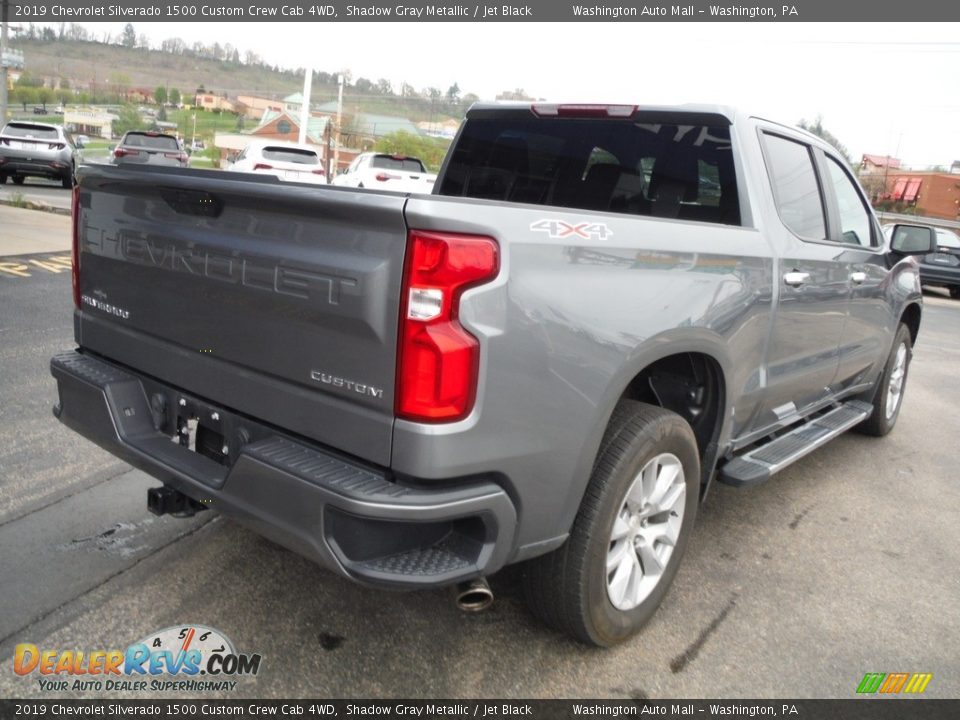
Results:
x,y
795,187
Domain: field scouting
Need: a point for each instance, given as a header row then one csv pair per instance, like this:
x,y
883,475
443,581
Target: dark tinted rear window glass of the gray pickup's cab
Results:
x,y
668,170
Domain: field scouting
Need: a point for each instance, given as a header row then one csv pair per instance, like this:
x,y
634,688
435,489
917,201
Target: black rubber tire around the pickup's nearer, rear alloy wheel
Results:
x,y
568,588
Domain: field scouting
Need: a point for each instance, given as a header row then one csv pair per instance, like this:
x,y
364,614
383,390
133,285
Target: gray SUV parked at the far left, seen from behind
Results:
x,y
31,149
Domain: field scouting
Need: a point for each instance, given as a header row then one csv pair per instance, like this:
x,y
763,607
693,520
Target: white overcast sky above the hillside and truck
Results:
x,y
881,88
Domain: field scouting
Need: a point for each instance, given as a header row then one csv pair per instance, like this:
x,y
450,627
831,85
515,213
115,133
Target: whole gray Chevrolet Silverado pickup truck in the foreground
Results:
x,y
600,311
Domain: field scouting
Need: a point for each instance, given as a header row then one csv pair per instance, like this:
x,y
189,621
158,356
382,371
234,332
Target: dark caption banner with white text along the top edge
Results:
x,y
488,11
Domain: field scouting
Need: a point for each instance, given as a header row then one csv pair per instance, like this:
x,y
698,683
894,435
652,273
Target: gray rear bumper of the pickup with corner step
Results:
x,y
351,518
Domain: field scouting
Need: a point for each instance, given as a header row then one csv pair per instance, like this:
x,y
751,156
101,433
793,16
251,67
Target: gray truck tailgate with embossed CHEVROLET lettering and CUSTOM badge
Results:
x,y
276,300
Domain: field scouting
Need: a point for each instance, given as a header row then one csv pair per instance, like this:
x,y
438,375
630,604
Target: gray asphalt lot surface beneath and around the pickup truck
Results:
x,y
843,564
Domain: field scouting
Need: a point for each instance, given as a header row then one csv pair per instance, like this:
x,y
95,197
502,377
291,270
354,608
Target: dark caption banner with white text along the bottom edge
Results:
x,y
853,709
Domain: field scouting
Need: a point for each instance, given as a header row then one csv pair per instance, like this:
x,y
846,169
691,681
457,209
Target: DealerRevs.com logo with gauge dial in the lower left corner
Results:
x,y
185,658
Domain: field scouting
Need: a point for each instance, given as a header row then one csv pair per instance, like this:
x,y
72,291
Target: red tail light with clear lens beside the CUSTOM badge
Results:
x,y
438,360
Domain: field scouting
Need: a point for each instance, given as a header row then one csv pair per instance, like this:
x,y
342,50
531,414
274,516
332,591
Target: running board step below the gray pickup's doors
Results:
x,y
760,464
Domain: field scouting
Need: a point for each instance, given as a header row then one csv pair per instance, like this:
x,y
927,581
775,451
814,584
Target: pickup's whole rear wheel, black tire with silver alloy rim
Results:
x,y
630,533
